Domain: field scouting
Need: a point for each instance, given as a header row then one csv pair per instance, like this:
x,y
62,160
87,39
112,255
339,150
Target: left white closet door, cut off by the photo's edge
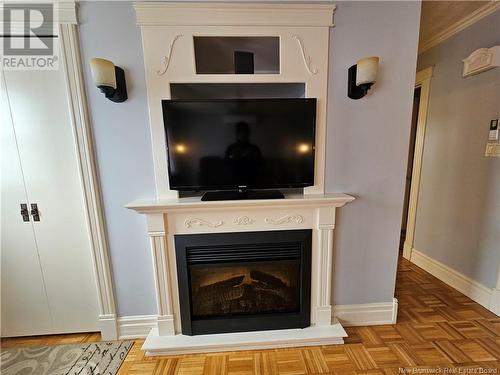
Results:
x,y
24,303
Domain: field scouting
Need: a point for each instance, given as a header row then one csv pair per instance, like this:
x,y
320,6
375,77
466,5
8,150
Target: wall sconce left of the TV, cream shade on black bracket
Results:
x,y
110,79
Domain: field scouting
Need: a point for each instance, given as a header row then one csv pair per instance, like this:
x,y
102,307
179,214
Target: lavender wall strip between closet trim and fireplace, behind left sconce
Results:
x,y
123,145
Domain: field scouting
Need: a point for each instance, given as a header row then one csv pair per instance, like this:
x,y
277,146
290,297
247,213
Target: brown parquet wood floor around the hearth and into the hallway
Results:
x,y
439,331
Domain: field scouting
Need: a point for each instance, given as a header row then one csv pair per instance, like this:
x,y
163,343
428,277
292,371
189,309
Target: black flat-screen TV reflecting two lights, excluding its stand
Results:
x,y
249,143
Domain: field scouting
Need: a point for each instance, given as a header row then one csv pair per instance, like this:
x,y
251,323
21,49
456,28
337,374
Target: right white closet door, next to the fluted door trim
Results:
x,y
47,150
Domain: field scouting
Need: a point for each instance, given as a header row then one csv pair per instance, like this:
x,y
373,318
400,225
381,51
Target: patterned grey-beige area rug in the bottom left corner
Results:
x,y
99,358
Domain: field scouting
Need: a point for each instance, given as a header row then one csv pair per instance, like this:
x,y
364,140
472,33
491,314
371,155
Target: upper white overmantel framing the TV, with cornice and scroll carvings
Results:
x,y
168,30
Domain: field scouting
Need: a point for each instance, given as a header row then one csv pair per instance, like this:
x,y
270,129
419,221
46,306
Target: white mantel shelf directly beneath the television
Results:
x,y
296,200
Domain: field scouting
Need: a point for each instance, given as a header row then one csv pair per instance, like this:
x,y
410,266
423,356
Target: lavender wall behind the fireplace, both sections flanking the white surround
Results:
x,y
367,146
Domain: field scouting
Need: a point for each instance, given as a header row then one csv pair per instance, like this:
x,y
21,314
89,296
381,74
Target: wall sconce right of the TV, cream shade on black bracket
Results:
x,y
361,77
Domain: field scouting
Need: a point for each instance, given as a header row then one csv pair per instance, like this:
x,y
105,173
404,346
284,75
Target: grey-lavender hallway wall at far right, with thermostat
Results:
x,y
458,212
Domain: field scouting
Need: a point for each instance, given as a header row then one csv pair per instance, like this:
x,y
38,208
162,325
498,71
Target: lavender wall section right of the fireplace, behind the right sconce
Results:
x,y
368,144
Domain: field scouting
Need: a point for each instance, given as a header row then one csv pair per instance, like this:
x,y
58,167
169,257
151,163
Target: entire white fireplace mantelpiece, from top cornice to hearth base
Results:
x,y
168,31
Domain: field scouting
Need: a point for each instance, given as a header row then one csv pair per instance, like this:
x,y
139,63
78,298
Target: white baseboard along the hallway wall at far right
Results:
x,y
464,284
